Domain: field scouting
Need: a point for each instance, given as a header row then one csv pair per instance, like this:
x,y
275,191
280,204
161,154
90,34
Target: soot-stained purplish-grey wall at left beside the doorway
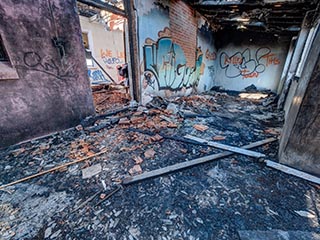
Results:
x,y
53,90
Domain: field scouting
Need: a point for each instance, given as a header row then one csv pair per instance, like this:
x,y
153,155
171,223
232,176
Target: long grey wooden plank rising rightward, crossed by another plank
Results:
x,y
183,165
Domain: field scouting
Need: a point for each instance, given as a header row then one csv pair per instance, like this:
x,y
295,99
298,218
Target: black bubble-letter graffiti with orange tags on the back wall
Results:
x,y
248,64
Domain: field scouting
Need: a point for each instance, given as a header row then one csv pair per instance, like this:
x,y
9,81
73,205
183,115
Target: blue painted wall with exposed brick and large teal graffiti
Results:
x,y
177,53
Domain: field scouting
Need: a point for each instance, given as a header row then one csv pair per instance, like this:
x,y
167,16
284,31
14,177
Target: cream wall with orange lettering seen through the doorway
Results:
x,y
107,47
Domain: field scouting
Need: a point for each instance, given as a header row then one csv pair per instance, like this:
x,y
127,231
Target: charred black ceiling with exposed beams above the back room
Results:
x,y
285,17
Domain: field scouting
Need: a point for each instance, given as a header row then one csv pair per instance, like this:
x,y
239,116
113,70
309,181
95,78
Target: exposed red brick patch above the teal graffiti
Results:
x,y
183,25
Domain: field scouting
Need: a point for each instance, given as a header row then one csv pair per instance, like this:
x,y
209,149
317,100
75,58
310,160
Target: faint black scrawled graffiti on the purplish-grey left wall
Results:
x,y
34,62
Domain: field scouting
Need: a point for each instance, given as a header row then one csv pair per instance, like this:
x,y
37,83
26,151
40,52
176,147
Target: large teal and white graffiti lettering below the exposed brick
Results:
x,y
165,65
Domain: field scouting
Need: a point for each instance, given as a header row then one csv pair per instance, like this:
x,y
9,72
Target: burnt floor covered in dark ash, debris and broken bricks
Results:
x,y
236,197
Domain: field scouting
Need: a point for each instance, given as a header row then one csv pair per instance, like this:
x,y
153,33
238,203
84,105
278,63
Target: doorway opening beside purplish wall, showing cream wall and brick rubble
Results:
x,y
103,35
